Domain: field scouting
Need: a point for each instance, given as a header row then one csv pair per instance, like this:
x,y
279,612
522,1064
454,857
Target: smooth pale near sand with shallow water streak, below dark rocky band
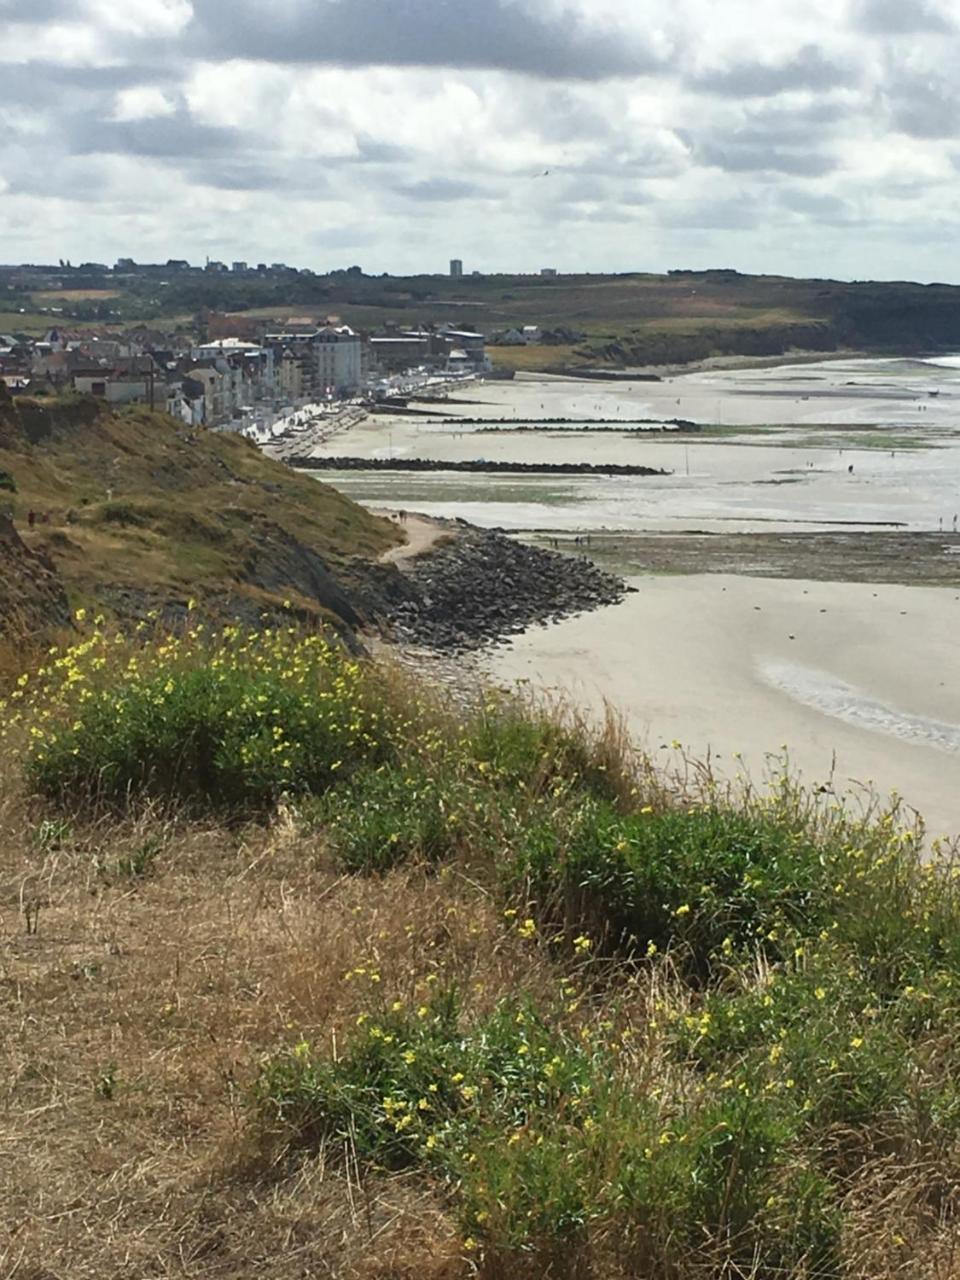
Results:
x,y
725,665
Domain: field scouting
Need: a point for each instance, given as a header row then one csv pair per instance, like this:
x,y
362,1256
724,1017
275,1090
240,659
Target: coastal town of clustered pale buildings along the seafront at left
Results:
x,y
225,369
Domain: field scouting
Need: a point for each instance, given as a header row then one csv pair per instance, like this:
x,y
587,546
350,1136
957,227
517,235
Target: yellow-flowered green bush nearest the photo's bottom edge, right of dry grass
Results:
x,y
545,1140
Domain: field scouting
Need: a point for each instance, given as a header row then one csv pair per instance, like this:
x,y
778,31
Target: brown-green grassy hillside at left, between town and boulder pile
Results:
x,y
136,514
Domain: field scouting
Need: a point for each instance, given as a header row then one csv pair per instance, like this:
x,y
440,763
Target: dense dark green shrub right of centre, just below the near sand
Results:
x,y
698,879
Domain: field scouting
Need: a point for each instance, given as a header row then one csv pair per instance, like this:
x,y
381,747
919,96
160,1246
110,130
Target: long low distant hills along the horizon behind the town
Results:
x,y
614,321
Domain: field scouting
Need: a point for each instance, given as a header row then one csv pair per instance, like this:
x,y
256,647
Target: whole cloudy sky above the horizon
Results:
x,y
815,138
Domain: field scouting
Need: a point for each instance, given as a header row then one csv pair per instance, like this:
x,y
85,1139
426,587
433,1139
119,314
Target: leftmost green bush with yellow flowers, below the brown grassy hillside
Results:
x,y
234,721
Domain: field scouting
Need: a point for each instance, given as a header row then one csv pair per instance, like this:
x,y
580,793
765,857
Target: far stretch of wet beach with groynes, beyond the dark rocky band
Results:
x,y
790,440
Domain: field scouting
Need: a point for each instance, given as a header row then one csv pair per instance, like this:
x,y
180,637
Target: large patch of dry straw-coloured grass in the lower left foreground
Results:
x,y
136,1014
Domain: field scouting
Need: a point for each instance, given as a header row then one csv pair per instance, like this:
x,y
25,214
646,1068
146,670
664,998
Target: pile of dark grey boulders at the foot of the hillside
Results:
x,y
481,588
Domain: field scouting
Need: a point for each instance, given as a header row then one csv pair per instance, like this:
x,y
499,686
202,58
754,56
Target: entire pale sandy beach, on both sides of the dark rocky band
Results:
x,y
824,477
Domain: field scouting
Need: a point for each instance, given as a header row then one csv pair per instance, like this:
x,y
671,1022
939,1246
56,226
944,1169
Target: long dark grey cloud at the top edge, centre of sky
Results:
x,y
508,35
